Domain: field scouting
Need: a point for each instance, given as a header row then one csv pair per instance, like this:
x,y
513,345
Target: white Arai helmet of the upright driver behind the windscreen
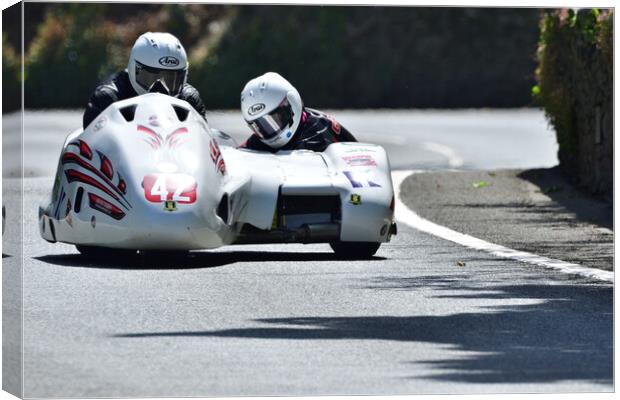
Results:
x,y
157,56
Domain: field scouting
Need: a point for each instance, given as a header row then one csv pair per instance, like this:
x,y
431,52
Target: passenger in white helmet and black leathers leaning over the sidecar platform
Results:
x,y
273,109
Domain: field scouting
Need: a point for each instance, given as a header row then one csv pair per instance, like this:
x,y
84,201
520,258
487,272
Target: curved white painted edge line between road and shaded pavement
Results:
x,y
406,216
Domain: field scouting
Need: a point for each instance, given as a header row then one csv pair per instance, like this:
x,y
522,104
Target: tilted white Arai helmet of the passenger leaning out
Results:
x,y
271,106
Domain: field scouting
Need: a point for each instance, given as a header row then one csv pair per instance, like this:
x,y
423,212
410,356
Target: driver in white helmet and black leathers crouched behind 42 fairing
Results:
x,y
155,57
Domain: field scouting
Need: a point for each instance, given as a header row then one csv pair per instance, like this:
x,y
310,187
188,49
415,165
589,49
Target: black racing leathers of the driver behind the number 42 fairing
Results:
x,y
118,87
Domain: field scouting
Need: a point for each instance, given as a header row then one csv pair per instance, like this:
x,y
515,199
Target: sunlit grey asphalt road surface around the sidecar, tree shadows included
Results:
x,y
291,319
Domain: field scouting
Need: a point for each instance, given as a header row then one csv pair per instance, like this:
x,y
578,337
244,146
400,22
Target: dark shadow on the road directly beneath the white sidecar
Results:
x,y
186,261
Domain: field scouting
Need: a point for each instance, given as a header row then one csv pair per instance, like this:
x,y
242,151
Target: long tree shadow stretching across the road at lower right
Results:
x,y
548,333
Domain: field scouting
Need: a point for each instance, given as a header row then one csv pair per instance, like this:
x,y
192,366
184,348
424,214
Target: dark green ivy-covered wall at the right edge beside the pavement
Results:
x,y
575,78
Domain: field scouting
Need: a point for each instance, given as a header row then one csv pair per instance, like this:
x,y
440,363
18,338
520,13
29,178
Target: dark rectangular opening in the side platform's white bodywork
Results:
x,y
296,211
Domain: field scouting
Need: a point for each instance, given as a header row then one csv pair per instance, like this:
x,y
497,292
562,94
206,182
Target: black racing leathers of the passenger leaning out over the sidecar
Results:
x,y
316,131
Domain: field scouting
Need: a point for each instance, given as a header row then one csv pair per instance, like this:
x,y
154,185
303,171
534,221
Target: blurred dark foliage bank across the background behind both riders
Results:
x,y
337,56
